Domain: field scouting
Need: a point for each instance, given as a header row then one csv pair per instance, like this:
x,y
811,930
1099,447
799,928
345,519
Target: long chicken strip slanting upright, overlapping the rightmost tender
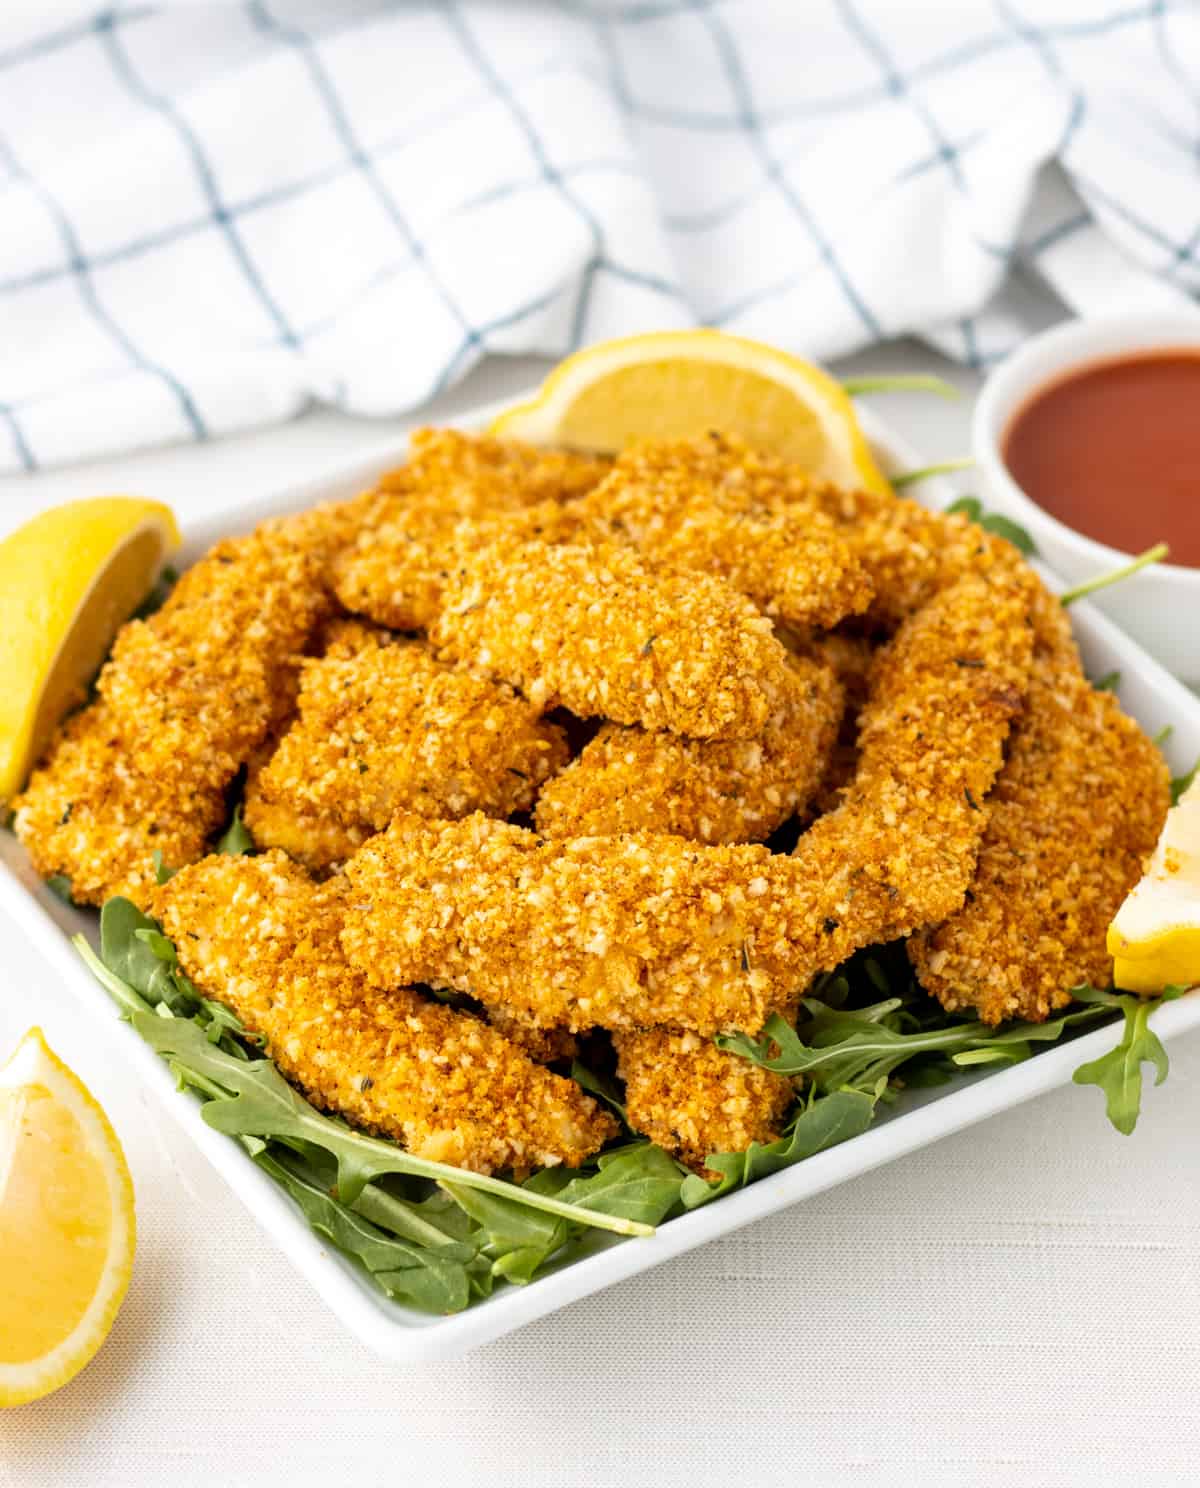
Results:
x,y
900,852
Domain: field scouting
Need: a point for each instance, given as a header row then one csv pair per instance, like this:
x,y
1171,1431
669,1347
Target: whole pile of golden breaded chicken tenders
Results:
x,y
526,725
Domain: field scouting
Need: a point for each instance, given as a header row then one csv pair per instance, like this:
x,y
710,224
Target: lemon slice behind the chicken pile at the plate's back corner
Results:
x,y
677,385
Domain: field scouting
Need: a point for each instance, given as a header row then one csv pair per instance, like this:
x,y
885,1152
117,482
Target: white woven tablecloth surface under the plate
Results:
x,y
1018,1304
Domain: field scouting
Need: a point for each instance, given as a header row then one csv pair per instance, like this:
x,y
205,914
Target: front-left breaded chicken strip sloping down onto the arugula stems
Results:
x,y
260,937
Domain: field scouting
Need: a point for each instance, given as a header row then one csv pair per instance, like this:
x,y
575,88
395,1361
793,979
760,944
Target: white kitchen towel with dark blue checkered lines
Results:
x,y
212,215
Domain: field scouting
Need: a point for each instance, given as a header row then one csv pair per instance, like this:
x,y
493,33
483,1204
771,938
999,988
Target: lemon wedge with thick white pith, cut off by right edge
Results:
x,y
1155,938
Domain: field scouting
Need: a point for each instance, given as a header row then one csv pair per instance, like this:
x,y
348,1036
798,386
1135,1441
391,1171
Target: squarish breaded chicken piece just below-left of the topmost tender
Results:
x,y
382,727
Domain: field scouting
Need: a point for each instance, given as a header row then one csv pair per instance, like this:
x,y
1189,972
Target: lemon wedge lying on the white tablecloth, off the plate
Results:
x,y
66,1224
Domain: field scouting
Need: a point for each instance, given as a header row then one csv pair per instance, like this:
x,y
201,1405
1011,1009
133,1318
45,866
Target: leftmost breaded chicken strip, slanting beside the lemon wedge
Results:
x,y
185,702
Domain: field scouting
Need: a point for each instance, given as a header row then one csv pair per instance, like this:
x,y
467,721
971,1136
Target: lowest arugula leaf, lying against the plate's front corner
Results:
x,y
435,1282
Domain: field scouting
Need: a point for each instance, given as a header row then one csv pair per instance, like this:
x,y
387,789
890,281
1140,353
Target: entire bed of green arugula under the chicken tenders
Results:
x,y
438,1239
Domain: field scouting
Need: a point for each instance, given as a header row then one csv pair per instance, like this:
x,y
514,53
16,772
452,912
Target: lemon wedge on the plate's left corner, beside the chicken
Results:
x,y
68,581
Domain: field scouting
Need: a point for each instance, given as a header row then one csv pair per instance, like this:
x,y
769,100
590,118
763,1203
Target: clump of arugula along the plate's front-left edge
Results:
x,y
339,1176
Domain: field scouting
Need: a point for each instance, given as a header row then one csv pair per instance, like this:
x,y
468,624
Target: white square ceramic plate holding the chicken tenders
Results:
x,y
1147,691
